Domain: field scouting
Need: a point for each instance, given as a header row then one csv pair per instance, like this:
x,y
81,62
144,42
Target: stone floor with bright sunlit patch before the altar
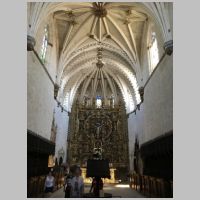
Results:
x,y
117,190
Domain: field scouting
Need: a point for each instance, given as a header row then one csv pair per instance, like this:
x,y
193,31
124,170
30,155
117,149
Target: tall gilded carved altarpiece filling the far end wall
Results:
x,y
104,128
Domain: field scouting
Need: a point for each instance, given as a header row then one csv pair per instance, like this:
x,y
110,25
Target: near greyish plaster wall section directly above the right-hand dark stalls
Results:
x,y
158,101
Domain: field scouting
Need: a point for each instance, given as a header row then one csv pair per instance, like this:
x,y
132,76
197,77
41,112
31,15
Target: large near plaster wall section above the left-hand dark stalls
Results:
x,y
40,98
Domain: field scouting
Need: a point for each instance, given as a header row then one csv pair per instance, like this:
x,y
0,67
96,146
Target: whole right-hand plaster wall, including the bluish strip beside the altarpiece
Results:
x,y
155,116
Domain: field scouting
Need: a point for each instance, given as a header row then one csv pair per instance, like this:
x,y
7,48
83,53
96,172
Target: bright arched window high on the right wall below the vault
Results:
x,y
153,52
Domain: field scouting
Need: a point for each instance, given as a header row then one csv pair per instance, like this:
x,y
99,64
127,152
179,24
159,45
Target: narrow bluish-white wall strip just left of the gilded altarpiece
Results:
x,y
61,120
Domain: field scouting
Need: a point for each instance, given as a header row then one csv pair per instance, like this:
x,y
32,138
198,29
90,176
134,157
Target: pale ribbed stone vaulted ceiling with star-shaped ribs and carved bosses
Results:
x,y
117,28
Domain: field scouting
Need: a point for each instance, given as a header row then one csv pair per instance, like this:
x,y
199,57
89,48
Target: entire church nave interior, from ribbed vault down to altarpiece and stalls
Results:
x,y
100,94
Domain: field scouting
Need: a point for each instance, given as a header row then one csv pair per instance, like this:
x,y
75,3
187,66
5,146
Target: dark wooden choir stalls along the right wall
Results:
x,y
156,179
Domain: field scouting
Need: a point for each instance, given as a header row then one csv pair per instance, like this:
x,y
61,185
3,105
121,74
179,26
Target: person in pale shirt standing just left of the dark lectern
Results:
x,y
77,184
